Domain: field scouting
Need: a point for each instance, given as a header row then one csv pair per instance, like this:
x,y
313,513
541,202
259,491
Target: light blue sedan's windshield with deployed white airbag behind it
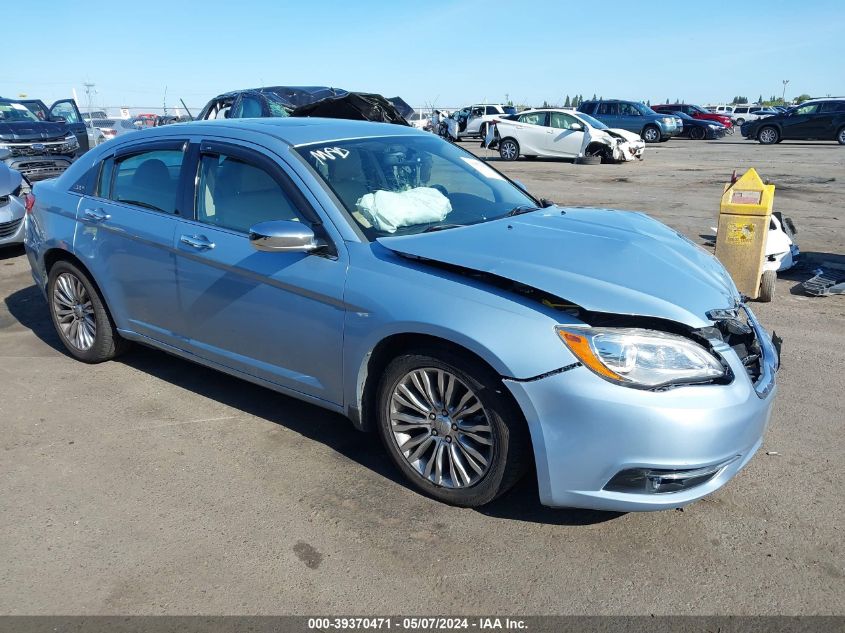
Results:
x,y
409,184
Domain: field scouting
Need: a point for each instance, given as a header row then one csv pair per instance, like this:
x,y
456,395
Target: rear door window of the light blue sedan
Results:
x,y
147,179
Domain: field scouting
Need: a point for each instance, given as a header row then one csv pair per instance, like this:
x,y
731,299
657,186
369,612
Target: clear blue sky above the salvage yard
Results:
x,y
446,53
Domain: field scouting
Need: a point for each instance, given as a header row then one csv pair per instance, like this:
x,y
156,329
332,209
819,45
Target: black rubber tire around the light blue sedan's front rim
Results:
x,y
509,455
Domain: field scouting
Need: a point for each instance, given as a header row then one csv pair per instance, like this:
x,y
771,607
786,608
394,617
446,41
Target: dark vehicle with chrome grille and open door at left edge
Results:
x,y
42,142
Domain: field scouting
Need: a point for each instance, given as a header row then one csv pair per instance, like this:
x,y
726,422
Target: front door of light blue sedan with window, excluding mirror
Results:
x,y
276,316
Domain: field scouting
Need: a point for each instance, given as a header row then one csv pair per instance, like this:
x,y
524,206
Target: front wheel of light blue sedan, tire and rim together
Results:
x,y
449,426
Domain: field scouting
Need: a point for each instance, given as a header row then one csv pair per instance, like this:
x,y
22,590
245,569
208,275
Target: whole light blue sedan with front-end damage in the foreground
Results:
x,y
385,274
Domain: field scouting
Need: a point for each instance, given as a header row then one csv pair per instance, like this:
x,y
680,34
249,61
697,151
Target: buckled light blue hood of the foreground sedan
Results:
x,y
604,260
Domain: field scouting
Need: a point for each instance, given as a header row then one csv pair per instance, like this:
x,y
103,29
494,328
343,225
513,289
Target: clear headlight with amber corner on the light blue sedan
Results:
x,y
641,358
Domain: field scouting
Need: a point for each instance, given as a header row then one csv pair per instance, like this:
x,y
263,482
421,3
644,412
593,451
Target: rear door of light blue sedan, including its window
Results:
x,y
126,235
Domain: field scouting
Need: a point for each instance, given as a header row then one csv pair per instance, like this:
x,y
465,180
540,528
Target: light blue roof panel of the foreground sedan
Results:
x,y
295,130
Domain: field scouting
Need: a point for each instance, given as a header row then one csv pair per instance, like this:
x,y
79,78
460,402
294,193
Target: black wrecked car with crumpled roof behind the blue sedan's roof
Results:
x,y
296,101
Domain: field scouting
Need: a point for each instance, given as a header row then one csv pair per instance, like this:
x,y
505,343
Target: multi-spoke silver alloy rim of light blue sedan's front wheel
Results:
x,y
441,428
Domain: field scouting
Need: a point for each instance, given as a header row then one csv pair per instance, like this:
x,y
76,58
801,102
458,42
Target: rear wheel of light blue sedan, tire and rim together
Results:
x,y
80,317
